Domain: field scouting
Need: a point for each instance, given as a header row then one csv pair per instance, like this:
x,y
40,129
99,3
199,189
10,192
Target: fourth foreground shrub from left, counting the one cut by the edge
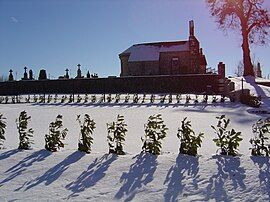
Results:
x,y
86,131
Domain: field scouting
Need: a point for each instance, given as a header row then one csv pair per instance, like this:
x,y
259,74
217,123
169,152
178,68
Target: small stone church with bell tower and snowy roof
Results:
x,y
164,58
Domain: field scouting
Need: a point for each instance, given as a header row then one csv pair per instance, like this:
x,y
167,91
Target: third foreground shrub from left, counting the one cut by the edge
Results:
x,y
53,140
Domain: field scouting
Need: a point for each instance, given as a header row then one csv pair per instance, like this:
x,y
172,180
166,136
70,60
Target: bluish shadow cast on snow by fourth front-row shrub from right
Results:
x,y
140,174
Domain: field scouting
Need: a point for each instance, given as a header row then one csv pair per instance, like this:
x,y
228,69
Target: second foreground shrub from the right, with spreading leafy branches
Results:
x,y
227,140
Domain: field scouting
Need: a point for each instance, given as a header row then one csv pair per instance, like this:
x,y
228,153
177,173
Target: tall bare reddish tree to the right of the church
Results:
x,y
247,16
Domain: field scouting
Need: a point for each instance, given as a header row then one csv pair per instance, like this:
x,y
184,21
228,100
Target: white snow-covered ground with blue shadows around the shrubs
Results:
x,y
39,175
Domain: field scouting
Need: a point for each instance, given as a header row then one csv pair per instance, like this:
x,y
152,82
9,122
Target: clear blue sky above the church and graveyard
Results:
x,y
59,34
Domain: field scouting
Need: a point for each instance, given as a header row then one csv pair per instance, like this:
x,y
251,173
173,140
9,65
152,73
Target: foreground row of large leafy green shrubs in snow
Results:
x,y
155,131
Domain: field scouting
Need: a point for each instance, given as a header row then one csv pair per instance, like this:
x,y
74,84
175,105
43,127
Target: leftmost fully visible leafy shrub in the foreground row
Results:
x,y
25,135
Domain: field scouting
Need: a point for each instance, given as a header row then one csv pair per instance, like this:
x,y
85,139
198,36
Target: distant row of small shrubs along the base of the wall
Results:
x,y
109,98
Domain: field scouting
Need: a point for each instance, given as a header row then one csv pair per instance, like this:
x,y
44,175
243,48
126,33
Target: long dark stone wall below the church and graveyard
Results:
x,y
152,84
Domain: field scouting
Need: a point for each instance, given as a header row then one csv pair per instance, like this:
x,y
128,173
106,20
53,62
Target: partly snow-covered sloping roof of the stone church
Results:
x,y
151,51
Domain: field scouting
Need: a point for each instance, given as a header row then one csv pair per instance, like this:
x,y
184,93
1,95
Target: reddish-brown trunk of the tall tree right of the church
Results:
x,y
248,67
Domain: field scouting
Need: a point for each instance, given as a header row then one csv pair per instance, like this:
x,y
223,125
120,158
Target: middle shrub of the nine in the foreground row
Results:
x,y
116,135
